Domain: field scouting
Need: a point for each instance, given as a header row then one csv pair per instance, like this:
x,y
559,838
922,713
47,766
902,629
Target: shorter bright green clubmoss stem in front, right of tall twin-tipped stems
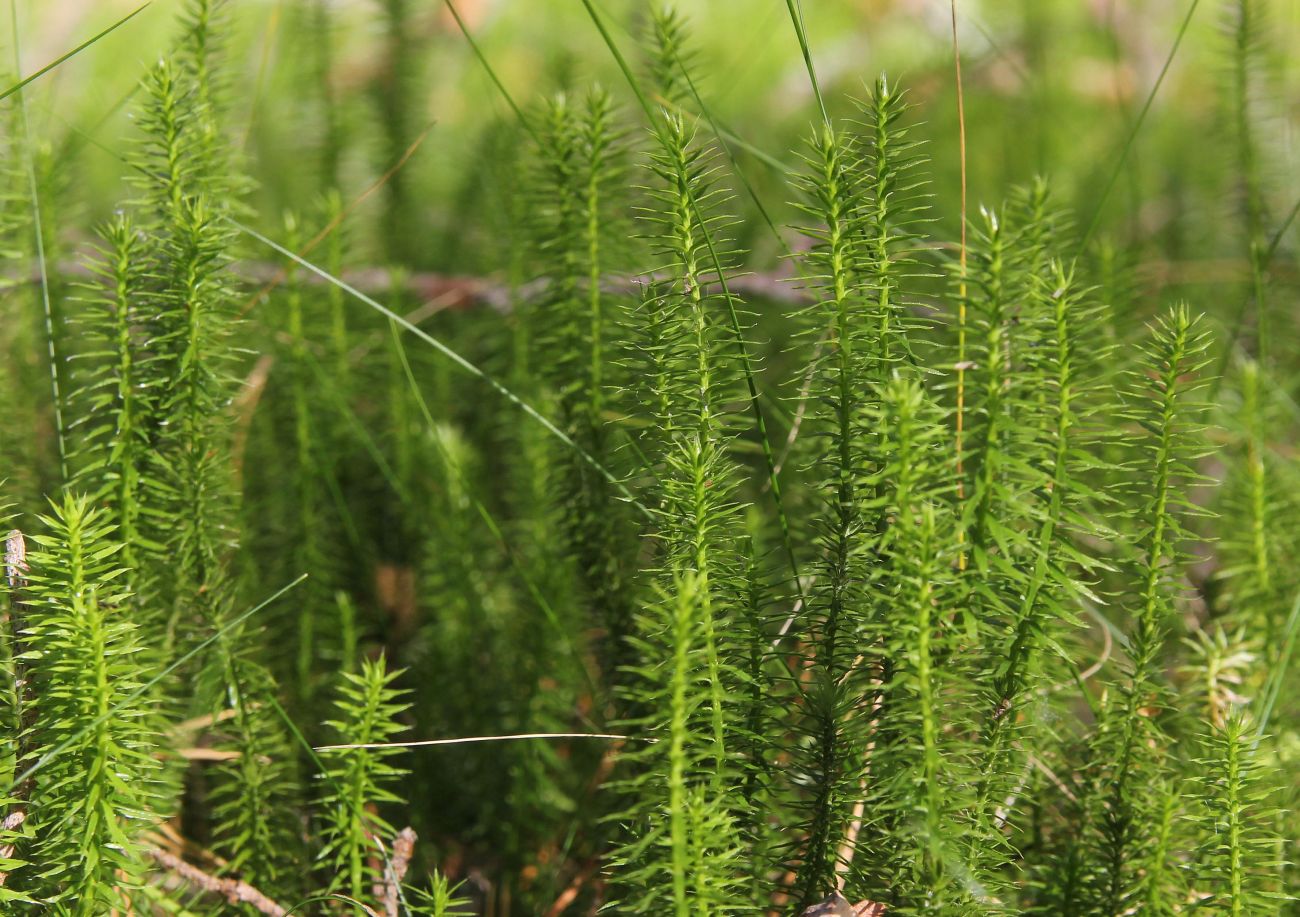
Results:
x,y
920,773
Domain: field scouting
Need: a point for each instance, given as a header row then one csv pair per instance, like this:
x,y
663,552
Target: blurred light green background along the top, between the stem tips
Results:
x,y
1052,88
